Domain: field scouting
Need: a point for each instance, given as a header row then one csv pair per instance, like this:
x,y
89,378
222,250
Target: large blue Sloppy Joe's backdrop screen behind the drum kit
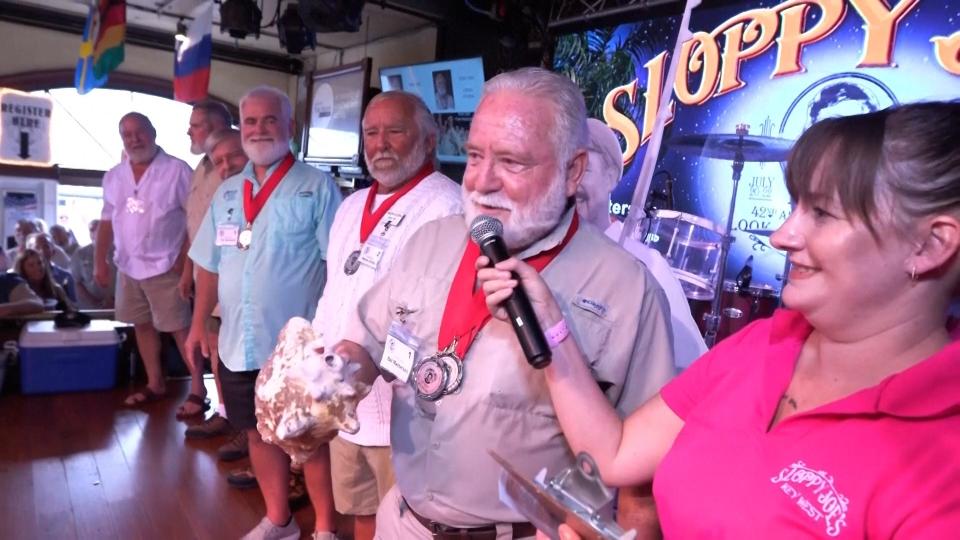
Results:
x,y
771,68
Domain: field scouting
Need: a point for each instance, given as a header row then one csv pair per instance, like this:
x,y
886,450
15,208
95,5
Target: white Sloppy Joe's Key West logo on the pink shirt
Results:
x,y
815,494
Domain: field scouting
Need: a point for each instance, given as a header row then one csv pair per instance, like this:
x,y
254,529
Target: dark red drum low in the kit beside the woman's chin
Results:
x,y
738,308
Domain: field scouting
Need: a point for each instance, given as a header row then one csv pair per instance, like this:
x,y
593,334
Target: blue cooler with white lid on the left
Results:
x,y
68,359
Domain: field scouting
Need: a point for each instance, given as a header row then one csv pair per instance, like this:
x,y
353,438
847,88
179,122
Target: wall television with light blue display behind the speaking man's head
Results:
x,y
451,89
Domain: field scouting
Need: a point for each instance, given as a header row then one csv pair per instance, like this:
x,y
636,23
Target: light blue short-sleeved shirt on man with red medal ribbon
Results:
x,y
283,272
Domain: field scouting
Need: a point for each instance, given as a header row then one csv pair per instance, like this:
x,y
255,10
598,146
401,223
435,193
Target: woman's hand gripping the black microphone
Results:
x,y
499,282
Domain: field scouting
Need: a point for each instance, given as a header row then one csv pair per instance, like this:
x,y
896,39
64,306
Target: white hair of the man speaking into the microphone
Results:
x,y
570,112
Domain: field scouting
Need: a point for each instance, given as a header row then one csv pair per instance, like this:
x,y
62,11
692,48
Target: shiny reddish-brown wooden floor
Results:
x,y
83,465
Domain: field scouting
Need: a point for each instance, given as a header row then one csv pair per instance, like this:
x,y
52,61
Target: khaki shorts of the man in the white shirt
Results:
x,y
361,475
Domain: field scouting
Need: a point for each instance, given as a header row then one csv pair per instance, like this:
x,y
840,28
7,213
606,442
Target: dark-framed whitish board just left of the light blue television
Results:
x,y
332,129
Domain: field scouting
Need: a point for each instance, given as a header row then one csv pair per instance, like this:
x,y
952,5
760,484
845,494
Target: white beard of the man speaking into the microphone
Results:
x,y
525,224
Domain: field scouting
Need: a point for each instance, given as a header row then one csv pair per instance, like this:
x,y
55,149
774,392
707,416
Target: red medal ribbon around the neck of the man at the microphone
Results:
x,y
466,310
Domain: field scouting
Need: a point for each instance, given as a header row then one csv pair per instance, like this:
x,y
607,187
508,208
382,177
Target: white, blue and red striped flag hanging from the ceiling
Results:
x,y
191,64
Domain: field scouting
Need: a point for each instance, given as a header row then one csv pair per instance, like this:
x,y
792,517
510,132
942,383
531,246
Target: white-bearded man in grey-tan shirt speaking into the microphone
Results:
x,y
526,153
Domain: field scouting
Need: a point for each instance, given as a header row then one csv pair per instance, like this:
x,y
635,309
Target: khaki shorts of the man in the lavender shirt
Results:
x,y
154,299
